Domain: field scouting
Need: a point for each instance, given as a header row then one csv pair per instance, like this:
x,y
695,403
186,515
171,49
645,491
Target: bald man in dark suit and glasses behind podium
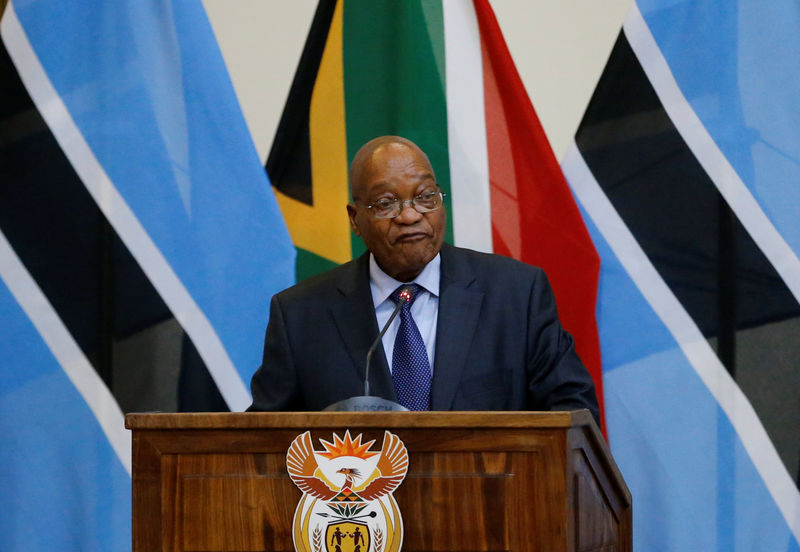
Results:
x,y
489,329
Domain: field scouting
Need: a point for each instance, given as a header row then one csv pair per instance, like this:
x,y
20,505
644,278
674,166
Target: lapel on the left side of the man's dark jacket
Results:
x,y
354,315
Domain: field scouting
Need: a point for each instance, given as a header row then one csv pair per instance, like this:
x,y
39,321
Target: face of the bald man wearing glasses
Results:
x,y
405,244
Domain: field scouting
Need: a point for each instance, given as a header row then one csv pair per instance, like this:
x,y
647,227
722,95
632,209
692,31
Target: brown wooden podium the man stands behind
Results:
x,y
493,481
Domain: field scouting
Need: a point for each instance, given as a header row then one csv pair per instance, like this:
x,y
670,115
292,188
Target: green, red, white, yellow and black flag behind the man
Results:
x,y
439,74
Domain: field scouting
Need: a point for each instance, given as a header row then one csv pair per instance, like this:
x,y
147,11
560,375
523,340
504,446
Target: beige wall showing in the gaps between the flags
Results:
x,y
559,46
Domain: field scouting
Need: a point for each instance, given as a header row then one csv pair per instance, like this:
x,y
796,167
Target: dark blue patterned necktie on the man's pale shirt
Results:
x,y
411,371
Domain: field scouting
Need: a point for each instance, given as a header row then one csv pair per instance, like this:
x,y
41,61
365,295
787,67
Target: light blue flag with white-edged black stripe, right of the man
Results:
x,y
686,165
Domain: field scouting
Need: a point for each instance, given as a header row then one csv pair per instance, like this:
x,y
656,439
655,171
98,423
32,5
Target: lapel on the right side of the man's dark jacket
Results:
x,y
459,309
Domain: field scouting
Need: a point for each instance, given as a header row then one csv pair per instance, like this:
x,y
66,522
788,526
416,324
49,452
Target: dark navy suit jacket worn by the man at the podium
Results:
x,y
499,343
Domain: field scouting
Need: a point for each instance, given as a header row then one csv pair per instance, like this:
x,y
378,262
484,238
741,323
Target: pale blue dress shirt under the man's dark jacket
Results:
x,y
424,310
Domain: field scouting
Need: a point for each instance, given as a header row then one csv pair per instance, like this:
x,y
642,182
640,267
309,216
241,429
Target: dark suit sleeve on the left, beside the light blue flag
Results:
x,y
274,385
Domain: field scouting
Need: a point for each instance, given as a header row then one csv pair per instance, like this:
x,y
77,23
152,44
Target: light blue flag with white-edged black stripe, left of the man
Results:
x,y
139,245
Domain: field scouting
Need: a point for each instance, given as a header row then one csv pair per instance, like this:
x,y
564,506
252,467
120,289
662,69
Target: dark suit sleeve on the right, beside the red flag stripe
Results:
x,y
557,379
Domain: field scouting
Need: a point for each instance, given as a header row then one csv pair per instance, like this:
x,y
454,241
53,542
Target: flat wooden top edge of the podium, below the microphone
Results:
x,y
255,420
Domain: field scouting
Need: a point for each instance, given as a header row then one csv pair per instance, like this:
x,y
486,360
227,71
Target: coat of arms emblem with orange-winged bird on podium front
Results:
x,y
347,503
